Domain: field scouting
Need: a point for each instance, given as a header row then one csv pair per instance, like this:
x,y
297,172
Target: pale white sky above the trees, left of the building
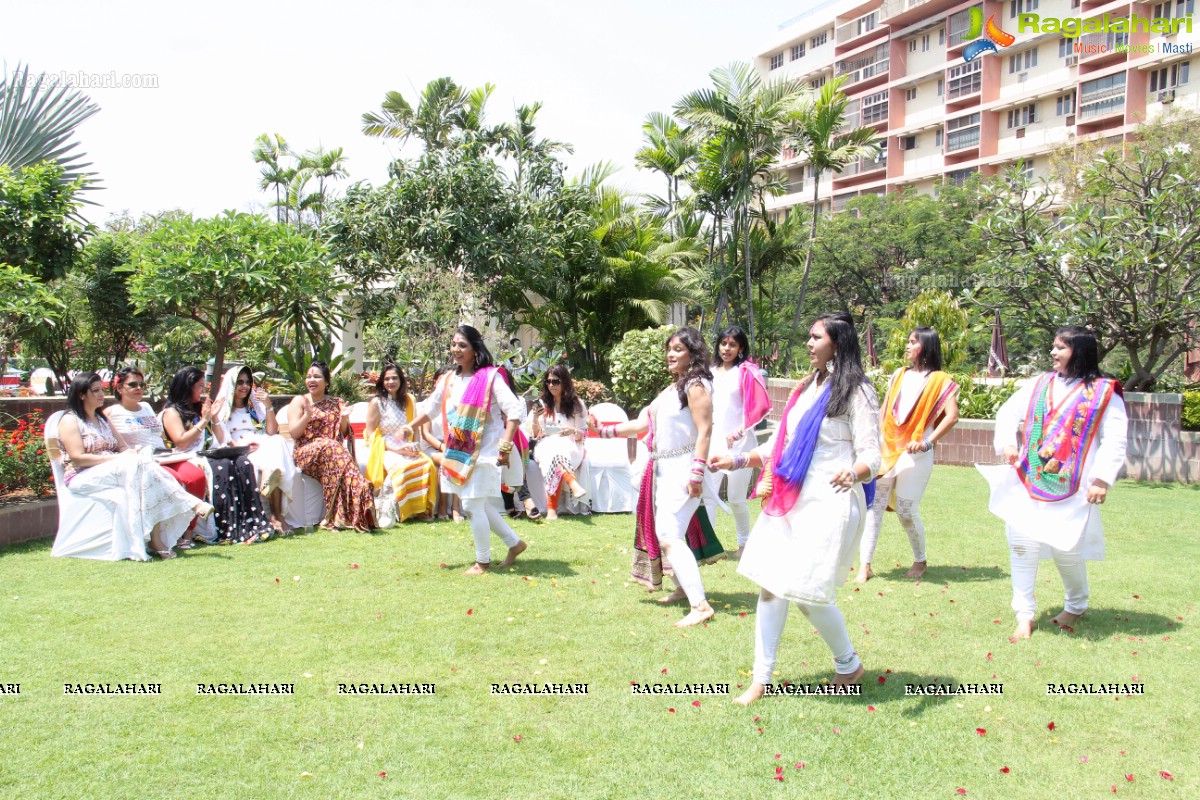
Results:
x,y
227,73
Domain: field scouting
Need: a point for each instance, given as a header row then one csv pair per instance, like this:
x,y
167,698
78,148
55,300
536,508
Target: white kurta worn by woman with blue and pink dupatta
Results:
x,y
806,555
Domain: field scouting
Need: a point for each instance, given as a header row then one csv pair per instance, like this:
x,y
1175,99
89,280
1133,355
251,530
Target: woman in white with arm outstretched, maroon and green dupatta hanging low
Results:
x,y
671,519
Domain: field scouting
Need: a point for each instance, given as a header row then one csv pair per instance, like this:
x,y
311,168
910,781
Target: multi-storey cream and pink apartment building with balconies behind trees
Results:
x,y
944,117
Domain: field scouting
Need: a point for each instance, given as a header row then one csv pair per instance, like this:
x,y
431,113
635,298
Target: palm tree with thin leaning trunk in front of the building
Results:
x,y
823,135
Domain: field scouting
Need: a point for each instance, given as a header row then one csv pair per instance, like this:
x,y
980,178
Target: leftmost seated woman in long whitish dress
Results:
x,y
146,502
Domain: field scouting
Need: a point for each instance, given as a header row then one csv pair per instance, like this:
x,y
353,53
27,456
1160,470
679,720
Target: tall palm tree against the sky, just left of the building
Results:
x,y
745,123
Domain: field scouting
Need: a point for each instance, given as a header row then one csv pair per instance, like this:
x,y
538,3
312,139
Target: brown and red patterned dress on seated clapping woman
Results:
x,y
350,497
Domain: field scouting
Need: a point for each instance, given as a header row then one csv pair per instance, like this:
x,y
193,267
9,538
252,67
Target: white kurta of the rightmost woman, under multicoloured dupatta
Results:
x,y
1063,524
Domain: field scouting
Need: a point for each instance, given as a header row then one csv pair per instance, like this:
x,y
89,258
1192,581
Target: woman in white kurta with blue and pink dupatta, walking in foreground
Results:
x,y
814,501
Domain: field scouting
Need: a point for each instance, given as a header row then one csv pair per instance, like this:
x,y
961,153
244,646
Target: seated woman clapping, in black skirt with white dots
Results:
x,y
187,419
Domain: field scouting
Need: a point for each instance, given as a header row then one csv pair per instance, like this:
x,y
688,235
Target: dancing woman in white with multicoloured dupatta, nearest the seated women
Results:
x,y
470,398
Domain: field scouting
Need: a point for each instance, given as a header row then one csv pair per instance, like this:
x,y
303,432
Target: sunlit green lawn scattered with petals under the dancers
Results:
x,y
393,607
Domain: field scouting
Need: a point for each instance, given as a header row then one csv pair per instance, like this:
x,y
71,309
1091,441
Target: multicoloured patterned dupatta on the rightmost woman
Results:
x,y
1058,438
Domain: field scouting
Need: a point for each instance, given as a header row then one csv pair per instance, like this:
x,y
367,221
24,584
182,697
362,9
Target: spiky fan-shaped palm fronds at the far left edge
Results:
x,y
38,122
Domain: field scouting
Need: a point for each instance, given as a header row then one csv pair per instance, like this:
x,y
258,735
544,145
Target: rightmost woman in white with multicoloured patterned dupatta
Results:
x,y
1064,437
